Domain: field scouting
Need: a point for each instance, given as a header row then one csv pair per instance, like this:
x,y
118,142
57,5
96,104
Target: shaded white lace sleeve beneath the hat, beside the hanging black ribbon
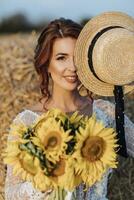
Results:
x,y
108,109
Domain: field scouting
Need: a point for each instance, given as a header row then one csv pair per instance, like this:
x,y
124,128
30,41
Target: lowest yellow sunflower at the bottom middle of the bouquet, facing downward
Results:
x,y
63,171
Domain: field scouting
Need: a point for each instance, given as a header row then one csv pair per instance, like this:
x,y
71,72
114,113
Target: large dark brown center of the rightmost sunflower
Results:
x,y
93,148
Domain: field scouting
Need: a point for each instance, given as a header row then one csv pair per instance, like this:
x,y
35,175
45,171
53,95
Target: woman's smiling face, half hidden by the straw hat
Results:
x,y
61,66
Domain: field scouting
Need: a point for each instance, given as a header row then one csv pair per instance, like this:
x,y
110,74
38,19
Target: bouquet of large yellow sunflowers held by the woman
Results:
x,y
60,152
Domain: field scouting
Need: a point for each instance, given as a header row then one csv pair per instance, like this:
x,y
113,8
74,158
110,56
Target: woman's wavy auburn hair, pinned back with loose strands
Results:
x,y
58,28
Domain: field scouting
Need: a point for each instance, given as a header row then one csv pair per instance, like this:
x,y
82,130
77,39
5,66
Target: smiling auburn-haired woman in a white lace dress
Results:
x,y
54,63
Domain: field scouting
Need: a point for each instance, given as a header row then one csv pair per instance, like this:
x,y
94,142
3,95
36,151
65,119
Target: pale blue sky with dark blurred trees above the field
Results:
x,y
30,15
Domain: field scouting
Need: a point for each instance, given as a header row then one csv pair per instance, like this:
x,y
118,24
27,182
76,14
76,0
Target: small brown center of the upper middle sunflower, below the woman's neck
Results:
x,y
52,140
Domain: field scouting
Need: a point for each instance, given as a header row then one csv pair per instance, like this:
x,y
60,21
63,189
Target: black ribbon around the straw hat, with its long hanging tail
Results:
x,y
118,94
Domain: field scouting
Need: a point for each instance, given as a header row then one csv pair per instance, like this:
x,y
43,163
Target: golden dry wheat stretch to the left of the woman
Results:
x,y
19,85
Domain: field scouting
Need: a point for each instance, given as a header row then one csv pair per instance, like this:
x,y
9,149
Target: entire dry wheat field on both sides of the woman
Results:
x,y
19,89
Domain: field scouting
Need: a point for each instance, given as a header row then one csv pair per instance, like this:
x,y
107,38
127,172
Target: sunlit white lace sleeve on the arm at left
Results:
x,y
15,188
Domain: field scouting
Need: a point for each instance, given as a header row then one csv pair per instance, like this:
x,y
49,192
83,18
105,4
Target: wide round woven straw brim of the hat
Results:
x,y
84,40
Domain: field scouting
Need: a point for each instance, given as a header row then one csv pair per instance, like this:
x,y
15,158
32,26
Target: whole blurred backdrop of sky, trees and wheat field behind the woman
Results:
x,y
20,23
